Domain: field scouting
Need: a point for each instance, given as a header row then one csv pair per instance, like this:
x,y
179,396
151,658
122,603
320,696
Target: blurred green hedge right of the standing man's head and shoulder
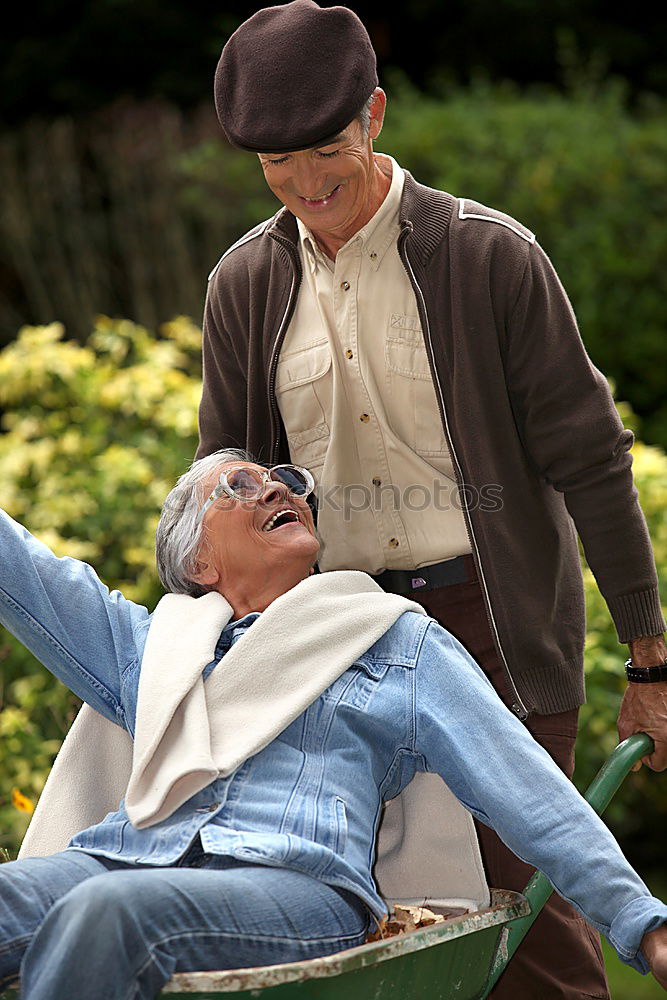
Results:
x,y
589,177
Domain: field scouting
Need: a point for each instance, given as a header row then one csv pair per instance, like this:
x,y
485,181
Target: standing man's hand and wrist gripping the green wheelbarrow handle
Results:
x,y
644,706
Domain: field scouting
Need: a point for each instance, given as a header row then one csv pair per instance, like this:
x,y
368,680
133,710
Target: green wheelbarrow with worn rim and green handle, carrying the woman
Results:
x,y
460,958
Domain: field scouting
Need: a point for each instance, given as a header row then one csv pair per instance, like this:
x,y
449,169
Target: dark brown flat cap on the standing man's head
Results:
x,y
293,76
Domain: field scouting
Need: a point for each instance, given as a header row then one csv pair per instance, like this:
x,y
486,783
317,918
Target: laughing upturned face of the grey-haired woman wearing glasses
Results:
x,y
243,551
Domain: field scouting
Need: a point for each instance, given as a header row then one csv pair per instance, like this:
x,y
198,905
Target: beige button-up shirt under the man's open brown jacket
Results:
x,y
356,396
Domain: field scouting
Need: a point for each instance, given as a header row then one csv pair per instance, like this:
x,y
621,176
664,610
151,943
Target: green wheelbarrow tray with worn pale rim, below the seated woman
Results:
x,y
461,953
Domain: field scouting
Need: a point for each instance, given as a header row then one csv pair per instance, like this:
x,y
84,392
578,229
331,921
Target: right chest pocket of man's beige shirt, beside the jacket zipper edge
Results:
x,y
412,406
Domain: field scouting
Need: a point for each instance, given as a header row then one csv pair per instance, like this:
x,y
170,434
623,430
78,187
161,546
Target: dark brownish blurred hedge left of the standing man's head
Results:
x,y
124,214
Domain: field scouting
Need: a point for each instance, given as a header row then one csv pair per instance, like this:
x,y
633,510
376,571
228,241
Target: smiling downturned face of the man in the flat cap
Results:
x,y
333,189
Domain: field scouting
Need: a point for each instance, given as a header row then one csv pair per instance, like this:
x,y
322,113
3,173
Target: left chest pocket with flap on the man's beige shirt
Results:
x,y
304,392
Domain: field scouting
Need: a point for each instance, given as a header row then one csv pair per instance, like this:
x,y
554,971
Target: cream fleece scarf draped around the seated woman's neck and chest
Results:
x,y
189,732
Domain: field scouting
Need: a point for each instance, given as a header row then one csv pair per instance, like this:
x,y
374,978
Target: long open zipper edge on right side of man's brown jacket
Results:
x,y
517,706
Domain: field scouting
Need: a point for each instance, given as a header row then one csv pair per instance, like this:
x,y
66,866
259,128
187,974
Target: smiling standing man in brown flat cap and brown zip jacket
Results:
x,y
418,353
